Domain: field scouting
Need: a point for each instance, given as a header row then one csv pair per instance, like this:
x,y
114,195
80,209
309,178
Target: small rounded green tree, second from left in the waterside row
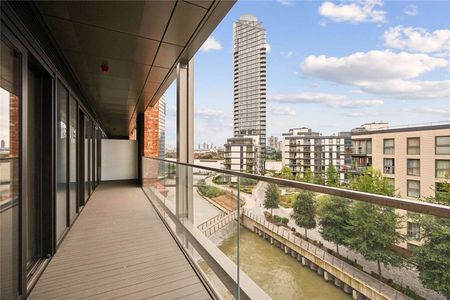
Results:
x,y
304,211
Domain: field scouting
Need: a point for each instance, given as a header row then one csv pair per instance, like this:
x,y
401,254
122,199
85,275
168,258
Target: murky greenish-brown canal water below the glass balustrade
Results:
x,y
278,274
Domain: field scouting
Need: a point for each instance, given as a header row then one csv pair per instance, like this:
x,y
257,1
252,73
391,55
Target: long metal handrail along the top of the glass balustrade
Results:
x,y
428,208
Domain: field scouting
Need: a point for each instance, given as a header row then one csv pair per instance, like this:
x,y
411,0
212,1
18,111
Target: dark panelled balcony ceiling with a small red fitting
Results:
x,y
141,42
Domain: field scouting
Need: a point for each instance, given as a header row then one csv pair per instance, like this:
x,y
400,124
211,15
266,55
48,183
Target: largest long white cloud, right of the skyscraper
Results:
x,y
381,72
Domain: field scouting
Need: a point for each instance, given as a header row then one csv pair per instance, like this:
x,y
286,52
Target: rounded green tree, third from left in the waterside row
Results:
x,y
334,214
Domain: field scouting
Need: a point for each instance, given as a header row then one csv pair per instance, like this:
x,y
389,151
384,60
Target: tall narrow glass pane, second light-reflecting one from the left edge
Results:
x,y
61,161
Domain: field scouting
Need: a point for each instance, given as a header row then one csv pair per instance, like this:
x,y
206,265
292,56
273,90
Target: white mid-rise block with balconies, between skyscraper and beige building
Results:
x,y
305,150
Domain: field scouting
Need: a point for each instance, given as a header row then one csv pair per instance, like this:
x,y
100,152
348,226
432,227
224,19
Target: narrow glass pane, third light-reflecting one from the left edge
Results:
x,y
73,159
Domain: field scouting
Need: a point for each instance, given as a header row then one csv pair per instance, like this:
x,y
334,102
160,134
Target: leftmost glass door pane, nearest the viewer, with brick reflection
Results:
x,y
10,86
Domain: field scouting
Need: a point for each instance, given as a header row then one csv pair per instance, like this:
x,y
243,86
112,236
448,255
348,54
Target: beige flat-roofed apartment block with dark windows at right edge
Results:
x,y
416,160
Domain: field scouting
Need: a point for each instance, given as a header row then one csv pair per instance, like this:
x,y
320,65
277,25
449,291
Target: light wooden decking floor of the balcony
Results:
x,y
119,248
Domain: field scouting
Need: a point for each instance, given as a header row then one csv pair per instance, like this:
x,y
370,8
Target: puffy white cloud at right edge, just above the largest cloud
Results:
x,y
417,39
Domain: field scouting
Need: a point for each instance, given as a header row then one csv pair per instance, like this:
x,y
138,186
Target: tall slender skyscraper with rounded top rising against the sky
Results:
x,y
249,39
